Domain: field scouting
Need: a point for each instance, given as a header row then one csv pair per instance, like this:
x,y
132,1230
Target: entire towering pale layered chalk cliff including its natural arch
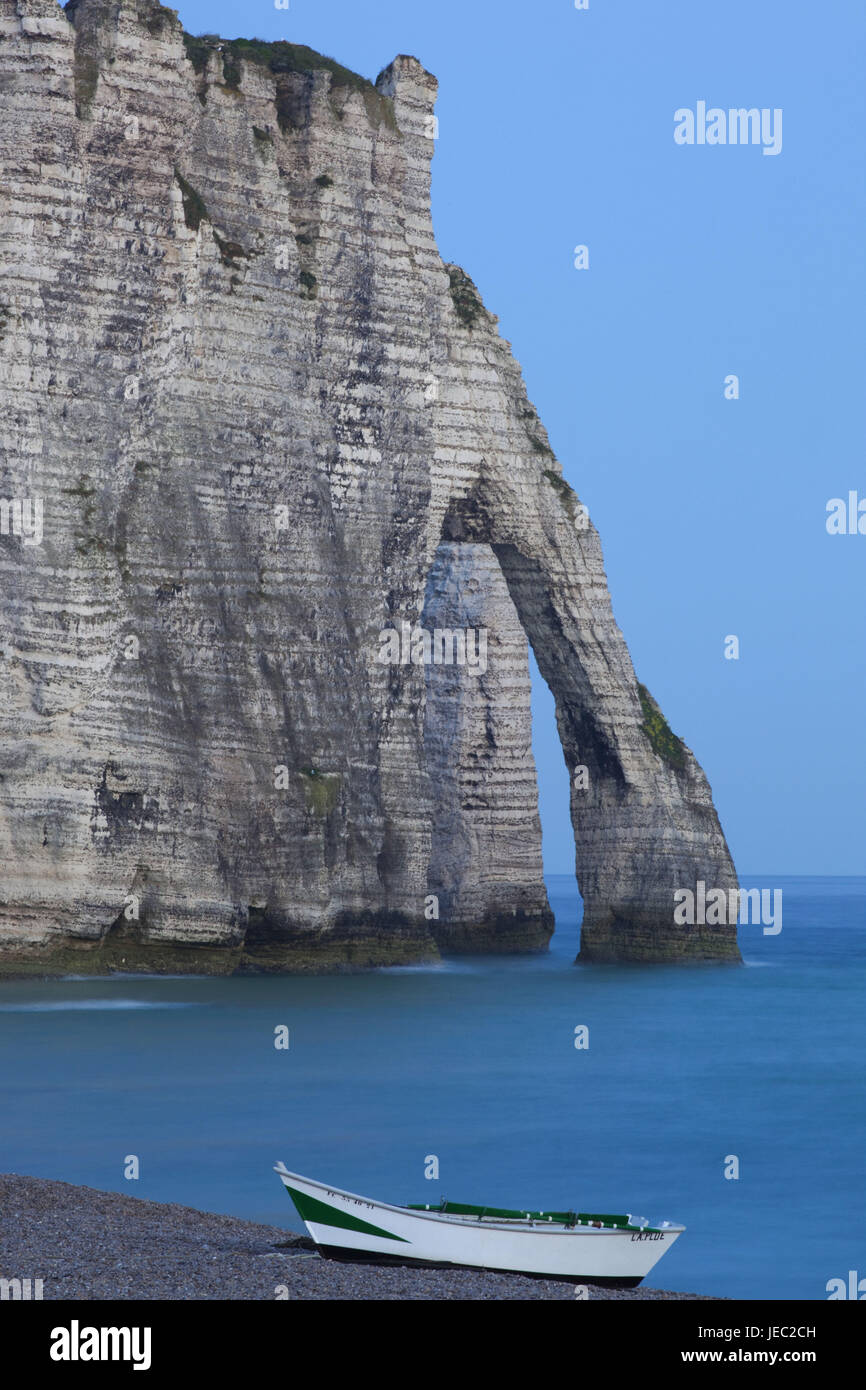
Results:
x,y
259,423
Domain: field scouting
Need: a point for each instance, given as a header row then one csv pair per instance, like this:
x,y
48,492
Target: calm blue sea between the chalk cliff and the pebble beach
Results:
x,y
475,1063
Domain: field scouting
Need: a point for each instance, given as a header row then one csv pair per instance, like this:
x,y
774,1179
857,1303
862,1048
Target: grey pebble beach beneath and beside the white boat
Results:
x,y
91,1245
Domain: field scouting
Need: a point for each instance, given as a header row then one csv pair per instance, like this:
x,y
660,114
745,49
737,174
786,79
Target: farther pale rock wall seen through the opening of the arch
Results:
x,y
486,864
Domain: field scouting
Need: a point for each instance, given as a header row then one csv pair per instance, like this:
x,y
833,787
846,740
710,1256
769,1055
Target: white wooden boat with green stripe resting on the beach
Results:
x,y
580,1246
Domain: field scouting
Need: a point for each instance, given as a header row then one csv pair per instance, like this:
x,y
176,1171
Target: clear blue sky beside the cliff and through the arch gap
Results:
x,y
557,129
